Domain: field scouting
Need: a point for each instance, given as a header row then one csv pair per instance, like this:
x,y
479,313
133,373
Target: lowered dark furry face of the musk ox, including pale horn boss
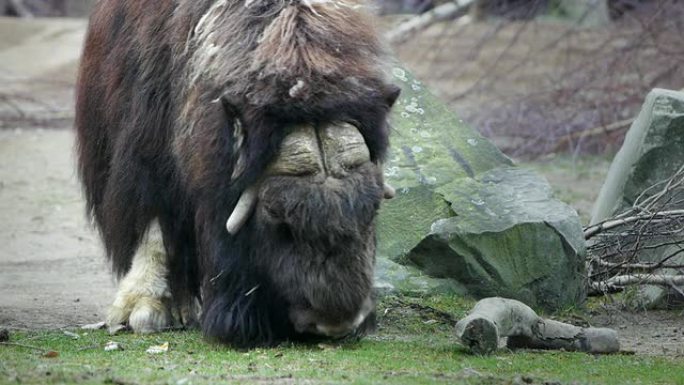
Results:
x,y
314,224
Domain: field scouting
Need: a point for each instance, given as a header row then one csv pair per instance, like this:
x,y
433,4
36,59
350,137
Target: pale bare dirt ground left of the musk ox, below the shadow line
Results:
x,y
52,273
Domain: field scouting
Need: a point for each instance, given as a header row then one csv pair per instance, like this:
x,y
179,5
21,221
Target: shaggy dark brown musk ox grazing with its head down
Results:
x,y
231,154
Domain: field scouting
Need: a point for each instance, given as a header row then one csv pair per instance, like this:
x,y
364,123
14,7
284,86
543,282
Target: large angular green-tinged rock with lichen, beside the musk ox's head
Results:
x,y
464,213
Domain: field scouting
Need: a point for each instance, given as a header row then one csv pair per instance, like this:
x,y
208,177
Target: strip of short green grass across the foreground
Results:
x,y
414,344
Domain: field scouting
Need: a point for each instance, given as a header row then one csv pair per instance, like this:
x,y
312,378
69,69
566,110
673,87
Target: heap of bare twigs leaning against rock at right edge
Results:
x,y
619,247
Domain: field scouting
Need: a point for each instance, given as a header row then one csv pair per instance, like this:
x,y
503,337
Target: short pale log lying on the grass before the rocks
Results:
x,y
495,318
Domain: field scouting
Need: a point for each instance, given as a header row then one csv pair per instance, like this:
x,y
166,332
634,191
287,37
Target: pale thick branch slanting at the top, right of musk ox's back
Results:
x,y
443,12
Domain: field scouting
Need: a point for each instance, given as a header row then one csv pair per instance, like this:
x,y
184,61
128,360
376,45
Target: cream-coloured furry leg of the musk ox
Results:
x,y
143,300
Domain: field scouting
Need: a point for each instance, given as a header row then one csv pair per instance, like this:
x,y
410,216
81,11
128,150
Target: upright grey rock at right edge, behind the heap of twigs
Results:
x,y
652,152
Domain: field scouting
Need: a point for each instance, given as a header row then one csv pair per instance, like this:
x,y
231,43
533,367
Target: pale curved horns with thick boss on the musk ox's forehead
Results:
x,y
325,154
